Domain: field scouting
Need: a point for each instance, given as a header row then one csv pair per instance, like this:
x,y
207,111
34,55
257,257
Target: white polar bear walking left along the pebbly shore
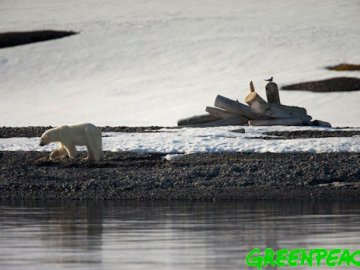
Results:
x,y
69,136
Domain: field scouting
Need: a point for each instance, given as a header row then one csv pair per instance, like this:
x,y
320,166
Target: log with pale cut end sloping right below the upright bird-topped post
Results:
x,y
276,111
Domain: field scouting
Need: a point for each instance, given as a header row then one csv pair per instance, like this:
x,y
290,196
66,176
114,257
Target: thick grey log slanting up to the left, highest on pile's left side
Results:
x,y
235,107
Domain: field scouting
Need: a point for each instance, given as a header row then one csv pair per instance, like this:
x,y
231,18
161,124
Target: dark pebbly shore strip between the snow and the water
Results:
x,y
30,175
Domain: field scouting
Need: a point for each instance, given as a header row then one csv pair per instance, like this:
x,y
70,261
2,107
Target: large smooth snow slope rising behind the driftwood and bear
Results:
x,y
140,62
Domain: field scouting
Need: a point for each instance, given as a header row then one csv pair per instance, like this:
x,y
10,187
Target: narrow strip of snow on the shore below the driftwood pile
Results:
x,y
195,140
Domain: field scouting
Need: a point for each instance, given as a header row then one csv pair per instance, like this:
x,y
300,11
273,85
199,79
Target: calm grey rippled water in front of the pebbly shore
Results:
x,y
162,235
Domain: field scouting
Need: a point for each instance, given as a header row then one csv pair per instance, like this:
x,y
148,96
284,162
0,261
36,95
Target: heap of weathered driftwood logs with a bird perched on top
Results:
x,y
257,112
